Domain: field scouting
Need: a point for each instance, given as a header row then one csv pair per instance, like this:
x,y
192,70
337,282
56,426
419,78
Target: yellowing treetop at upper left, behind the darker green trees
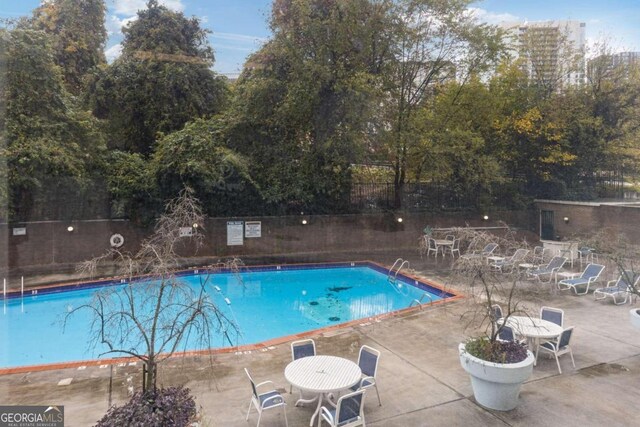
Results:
x,y
78,33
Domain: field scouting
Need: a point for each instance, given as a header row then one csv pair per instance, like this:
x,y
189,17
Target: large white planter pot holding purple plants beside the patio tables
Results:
x,y
496,385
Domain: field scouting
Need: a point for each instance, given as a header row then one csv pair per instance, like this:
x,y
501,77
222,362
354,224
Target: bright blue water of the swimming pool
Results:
x,y
264,304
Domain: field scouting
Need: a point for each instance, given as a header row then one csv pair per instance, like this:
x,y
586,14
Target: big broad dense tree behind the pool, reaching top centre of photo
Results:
x,y
306,100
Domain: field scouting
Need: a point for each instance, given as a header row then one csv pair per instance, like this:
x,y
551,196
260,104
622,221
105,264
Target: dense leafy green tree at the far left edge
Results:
x,y
45,137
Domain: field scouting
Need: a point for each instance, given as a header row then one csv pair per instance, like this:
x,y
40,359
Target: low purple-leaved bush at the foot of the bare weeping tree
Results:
x,y
173,406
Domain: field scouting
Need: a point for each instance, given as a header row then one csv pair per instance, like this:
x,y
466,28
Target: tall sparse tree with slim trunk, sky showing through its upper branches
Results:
x,y
435,41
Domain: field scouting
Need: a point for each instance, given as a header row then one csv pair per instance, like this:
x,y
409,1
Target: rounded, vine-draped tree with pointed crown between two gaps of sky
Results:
x,y
162,80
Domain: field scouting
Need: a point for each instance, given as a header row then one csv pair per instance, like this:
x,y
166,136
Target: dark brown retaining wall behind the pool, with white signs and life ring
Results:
x,y
47,247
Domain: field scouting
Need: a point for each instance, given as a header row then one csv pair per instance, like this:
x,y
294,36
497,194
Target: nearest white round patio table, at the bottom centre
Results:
x,y
322,375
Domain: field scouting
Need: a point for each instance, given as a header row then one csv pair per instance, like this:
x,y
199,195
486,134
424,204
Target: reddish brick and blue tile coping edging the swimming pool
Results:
x,y
422,283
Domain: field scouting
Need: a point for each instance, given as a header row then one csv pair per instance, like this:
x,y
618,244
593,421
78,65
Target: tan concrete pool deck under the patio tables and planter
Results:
x,y
420,378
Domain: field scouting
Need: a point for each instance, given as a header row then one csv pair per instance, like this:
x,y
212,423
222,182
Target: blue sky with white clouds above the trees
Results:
x,y
240,27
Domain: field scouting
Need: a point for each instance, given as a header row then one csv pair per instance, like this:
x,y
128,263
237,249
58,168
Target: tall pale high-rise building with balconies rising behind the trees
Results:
x,y
551,53
